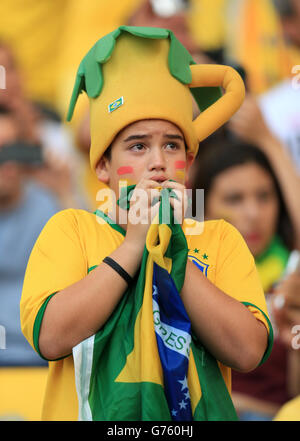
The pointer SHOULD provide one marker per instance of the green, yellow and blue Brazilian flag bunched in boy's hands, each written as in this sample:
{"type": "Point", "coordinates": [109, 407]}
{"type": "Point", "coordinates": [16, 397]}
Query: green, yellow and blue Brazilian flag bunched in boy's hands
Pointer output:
{"type": "Point", "coordinates": [145, 363]}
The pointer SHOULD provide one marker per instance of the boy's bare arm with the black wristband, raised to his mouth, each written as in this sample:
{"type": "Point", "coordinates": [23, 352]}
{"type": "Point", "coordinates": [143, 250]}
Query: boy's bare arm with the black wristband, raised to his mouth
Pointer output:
{"type": "Point", "coordinates": [80, 310]}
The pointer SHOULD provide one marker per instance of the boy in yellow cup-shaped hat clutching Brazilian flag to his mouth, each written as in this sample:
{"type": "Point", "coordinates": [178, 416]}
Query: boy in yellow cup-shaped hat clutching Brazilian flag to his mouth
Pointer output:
{"type": "Point", "coordinates": [143, 317]}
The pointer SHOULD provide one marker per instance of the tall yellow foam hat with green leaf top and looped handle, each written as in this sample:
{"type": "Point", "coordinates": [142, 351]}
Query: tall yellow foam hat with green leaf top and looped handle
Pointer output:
{"type": "Point", "coordinates": [137, 73]}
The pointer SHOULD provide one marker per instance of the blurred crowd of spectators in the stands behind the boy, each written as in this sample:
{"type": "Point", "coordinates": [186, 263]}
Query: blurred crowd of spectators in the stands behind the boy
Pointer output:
{"type": "Point", "coordinates": [249, 169]}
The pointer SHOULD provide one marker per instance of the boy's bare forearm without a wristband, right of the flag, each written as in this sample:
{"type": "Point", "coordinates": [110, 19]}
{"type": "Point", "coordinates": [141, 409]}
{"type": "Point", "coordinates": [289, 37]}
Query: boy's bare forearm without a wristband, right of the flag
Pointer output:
{"type": "Point", "coordinates": [225, 326]}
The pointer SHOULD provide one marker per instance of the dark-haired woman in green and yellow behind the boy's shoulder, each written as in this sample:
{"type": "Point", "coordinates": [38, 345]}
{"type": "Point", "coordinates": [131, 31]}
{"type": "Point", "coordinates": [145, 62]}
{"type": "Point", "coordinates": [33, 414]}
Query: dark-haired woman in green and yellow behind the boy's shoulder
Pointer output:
{"type": "Point", "coordinates": [240, 185]}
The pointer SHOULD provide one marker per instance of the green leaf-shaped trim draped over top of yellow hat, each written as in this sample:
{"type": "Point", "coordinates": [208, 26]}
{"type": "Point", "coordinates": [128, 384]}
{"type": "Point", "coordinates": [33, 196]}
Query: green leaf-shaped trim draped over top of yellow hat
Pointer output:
{"type": "Point", "coordinates": [89, 76]}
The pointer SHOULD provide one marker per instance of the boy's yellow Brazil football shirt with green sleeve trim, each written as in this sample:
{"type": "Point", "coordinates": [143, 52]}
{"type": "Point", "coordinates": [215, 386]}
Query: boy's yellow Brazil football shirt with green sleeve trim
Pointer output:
{"type": "Point", "coordinates": [74, 241]}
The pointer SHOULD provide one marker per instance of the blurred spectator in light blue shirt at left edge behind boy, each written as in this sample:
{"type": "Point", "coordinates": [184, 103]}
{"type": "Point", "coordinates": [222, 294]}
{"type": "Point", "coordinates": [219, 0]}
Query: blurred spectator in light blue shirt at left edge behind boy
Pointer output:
{"type": "Point", "coordinates": [25, 207]}
